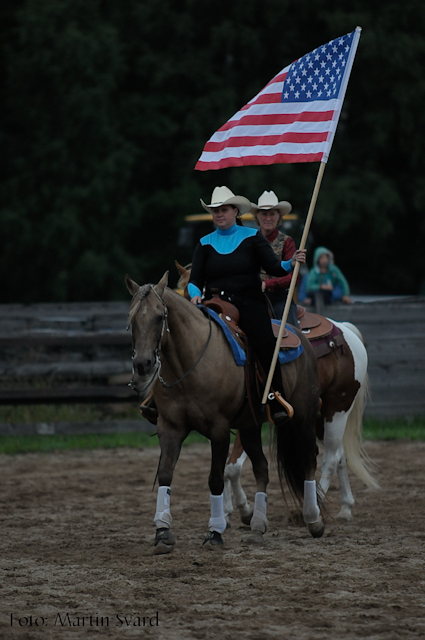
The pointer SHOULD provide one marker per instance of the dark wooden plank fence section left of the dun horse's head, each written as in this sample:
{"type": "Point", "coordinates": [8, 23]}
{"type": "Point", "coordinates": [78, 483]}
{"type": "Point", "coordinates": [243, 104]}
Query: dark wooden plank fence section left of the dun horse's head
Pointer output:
{"type": "Point", "coordinates": [61, 353]}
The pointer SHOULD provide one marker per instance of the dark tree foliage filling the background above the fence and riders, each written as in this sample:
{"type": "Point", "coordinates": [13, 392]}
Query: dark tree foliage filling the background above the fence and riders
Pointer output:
{"type": "Point", "coordinates": [105, 108]}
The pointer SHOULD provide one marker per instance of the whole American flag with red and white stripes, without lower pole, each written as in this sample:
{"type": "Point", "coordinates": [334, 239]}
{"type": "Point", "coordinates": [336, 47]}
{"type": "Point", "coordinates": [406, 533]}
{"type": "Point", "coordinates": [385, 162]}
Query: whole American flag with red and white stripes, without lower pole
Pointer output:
{"type": "Point", "coordinates": [294, 118]}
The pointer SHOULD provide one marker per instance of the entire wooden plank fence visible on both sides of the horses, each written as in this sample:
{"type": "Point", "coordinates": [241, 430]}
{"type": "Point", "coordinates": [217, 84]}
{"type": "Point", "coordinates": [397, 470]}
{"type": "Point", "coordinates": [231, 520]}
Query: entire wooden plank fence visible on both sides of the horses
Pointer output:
{"type": "Point", "coordinates": [81, 352]}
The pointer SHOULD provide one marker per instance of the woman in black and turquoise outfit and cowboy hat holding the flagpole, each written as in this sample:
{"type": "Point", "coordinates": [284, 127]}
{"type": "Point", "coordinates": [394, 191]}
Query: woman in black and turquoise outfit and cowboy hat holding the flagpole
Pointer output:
{"type": "Point", "coordinates": [230, 260]}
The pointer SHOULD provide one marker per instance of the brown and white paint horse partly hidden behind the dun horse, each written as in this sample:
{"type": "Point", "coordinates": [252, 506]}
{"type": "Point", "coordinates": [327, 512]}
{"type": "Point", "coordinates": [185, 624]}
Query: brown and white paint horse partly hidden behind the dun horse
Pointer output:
{"type": "Point", "coordinates": [343, 390]}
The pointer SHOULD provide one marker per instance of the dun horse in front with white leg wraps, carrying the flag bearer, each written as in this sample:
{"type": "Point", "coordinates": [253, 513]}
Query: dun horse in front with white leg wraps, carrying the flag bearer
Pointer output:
{"type": "Point", "coordinates": [184, 358]}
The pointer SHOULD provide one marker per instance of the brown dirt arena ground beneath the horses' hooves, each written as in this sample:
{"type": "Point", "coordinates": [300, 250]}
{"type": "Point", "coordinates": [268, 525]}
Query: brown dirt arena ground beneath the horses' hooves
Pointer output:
{"type": "Point", "coordinates": [77, 555]}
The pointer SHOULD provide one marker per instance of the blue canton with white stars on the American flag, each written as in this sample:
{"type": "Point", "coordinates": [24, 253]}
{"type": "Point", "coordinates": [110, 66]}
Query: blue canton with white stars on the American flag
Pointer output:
{"type": "Point", "coordinates": [318, 74]}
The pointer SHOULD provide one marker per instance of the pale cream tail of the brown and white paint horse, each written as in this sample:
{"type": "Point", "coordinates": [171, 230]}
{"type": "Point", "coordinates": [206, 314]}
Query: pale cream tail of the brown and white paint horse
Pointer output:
{"type": "Point", "coordinates": [357, 458]}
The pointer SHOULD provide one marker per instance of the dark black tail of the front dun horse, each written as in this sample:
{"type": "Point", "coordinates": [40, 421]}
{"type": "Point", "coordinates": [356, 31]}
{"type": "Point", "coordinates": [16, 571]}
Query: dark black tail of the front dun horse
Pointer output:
{"type": "Point", "coordinates": [295, 452]}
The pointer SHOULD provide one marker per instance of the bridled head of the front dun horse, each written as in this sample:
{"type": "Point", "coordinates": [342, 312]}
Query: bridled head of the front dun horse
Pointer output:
{"type": "Point", "coordinates": [148, 320]}
